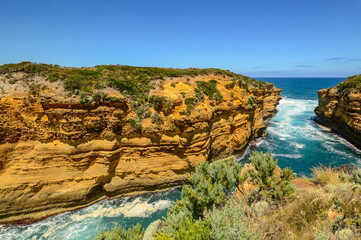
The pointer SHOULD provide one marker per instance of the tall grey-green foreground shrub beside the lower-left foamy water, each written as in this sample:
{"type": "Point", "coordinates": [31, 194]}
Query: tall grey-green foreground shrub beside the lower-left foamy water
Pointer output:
{"type": "Point", "coordinates": [210, 185]}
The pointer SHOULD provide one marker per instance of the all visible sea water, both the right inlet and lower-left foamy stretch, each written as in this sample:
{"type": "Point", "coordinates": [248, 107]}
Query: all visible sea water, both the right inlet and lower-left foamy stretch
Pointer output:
{"type": "Point", "coordinates": [293, 138]}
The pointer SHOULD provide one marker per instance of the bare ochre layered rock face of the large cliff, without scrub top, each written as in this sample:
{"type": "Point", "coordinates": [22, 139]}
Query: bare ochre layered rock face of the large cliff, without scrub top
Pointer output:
{"type": "Point", "coordinates": [57, 155]}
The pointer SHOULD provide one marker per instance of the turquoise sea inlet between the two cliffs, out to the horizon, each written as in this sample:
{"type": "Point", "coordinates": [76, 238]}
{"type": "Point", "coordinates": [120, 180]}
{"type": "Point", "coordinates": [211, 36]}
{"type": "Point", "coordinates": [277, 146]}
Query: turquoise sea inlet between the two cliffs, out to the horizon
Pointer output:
{"type": "Point", "coordinates": [294, 138]}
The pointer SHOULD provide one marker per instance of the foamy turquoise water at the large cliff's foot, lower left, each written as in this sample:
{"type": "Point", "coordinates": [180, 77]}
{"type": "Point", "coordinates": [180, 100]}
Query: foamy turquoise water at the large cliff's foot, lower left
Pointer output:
{"type": "Point", "coordinates": [106, 214]}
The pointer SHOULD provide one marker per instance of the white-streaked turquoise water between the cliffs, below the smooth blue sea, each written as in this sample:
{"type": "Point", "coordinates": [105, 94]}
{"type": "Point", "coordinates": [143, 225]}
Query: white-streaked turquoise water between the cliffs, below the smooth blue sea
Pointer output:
{"type": "Point", "coordinates": [300, 143]}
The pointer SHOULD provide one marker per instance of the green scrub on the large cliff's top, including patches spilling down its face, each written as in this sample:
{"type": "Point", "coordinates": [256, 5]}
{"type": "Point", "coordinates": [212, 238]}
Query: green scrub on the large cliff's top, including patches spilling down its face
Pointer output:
{"type": "Point", "coordinates": [134, 83]}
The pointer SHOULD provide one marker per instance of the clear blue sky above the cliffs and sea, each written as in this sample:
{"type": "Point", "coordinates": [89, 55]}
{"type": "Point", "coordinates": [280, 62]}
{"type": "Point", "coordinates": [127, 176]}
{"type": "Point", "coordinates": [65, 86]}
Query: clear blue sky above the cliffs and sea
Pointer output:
{"type": "Point", "coordinates": [259, 38]}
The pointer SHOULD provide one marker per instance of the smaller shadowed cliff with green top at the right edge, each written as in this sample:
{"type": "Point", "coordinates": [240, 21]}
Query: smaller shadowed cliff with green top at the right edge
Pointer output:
{"type": "Point", "coordinates": [340, 108]}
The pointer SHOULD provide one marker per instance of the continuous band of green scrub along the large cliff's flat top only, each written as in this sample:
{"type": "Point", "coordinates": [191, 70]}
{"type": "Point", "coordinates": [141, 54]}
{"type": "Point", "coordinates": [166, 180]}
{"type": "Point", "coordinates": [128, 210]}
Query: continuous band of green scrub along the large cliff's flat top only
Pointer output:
{"type": "Point", "coordinates": [131, 81]}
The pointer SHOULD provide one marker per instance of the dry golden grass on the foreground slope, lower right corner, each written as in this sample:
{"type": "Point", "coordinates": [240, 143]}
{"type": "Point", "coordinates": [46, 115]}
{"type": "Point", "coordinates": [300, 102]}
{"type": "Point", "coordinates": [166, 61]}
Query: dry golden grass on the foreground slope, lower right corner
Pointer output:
{"type": "Point", "coordinates": [316, 210]}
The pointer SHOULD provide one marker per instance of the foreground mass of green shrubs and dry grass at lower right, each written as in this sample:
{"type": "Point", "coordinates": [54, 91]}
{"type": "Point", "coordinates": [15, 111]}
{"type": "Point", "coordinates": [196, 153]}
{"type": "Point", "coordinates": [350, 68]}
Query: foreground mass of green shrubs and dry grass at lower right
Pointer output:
{"type": "Point", "coordinates": [265, 204]}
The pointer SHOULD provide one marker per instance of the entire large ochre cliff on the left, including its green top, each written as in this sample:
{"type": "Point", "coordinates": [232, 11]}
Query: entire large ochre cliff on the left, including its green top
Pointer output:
{"type": "Point", "coordinates": [71, 136]}
